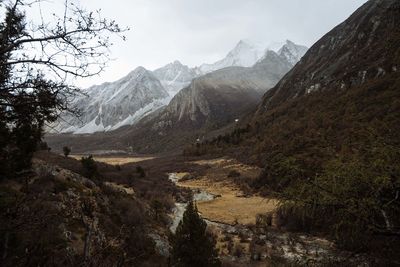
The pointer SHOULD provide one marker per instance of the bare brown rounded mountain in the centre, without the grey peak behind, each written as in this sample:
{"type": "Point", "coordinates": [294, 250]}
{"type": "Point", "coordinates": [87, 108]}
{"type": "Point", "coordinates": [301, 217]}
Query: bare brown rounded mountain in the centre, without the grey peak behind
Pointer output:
{"type": "Point", "coordinates": [212, 95]}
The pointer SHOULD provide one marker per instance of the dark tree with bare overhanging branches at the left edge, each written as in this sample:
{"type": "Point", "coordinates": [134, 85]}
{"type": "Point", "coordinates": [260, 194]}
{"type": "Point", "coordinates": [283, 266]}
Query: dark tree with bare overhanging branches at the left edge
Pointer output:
{"type": "Point", "coordinates": [38, 62]}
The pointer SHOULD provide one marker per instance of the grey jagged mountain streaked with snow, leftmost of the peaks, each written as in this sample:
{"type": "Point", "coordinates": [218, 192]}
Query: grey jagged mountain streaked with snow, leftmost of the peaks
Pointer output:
{"type": "Point", "coordinates": [112, 105]}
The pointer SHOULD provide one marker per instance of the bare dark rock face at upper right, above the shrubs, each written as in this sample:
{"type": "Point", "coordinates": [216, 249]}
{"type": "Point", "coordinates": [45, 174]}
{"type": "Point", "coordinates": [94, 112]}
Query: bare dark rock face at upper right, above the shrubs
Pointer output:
{"type": "Point", "coordinates": [362, 48]}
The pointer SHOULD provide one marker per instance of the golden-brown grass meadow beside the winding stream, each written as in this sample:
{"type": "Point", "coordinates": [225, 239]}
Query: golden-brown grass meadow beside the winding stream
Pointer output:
{"type": "Point", "coordinates": [232, 206]}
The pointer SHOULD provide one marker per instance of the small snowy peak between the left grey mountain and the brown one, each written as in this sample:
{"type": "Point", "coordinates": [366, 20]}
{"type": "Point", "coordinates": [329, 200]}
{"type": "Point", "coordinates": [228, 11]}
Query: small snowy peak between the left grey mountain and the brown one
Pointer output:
{"type": "Point", "coordinates": [175, 76]}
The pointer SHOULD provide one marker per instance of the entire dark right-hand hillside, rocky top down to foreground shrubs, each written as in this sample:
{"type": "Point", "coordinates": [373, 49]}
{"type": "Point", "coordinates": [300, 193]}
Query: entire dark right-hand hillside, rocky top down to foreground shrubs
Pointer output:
{"type": "Point", "coordinates": [327, 136]}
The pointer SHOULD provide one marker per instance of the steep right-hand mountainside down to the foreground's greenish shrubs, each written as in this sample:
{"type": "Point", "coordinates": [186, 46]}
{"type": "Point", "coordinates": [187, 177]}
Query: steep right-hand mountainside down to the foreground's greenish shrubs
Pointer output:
{"type": "Point", "coordinates": [340, 98]}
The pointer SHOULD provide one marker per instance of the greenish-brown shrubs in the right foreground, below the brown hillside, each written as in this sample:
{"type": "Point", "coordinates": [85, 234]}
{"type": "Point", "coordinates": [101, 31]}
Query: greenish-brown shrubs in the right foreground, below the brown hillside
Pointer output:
{"type": "Point", "coordinates": [355, 198]}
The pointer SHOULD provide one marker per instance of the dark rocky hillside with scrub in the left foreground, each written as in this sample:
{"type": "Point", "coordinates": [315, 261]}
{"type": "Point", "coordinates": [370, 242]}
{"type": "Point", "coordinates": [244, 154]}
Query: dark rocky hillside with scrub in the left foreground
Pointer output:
{"type": "Point", "coordinates": [62, 215]}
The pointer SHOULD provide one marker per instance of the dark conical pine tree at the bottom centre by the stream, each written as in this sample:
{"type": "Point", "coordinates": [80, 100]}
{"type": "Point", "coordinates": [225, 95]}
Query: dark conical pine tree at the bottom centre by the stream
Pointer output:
{"type": "Point", "coordinates": [192, 245]}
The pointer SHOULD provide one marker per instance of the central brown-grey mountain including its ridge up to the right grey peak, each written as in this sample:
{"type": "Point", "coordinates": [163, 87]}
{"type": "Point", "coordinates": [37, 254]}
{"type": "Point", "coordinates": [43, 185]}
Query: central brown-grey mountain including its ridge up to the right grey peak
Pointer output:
{"type": "Point", "coordinates": [222, 95]}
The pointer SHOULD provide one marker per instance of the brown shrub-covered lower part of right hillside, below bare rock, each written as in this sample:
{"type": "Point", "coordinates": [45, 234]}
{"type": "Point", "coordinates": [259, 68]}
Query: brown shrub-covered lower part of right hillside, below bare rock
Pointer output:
{"type": "Point", "coordinates": [333, 158]}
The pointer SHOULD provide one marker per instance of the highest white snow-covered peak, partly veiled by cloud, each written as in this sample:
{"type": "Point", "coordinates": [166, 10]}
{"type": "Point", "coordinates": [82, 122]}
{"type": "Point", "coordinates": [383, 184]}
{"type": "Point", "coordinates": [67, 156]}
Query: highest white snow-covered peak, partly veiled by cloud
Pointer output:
{"type": "Point", "coordinates": [244, 54]}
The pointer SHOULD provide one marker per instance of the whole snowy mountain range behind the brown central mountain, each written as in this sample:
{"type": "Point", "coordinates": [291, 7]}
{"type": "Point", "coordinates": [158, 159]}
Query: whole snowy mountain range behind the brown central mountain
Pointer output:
{"type": "Point", "coordinates": [110, 106]}
